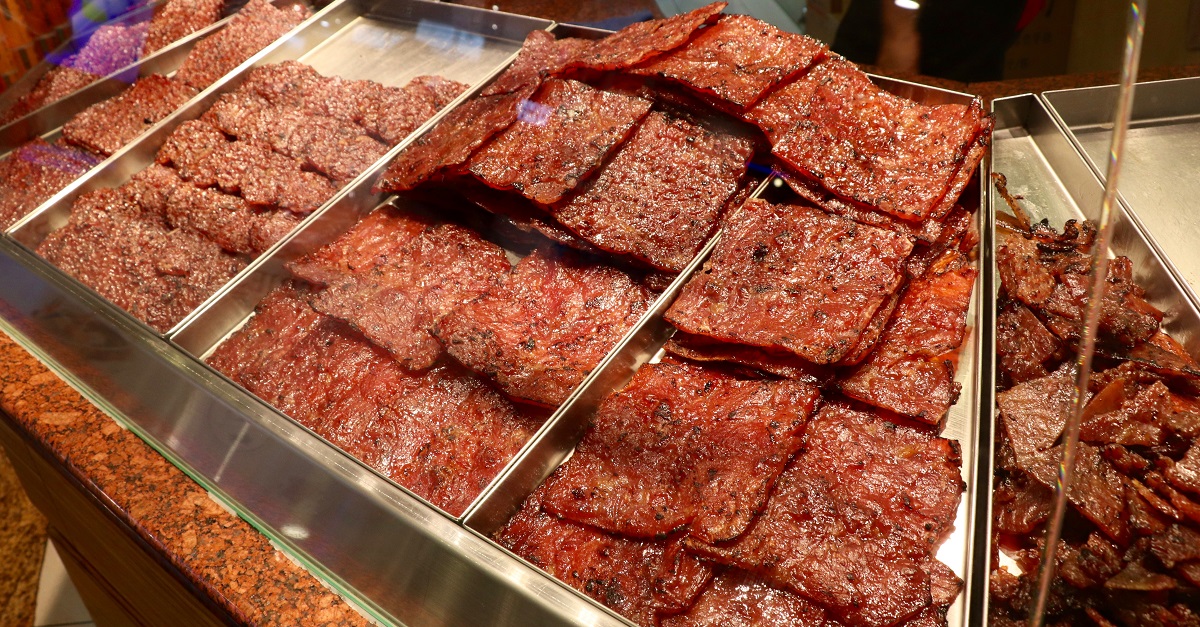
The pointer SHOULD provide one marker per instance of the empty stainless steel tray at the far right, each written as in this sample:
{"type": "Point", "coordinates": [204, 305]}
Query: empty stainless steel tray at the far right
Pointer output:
{"type": "Point", "coordinates": [1159, 182]}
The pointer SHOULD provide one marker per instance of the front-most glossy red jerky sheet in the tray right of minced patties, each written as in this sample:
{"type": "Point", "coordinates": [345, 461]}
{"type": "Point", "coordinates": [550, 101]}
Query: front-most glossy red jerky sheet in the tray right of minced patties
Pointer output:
{"type": "Point", "coordinates": [443, 434]}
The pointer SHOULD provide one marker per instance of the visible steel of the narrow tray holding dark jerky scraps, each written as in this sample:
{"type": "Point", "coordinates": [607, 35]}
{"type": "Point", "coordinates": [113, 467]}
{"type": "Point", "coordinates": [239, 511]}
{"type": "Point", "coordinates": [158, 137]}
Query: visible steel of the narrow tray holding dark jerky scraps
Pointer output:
{"type": "Point", "coordinates": [1043, 166]}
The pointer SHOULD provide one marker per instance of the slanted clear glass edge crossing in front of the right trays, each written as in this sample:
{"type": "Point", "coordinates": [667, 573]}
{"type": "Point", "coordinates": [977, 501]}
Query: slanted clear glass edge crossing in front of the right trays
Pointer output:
{"type": "Point", "coordinates": [1047, 572]}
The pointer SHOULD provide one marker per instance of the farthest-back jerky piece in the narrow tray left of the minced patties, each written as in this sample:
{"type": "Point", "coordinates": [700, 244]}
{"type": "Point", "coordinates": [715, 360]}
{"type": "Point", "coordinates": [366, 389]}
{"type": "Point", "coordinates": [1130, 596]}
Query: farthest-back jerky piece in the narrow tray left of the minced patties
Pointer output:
{"type": "Point", "coordinates": [253, 29]}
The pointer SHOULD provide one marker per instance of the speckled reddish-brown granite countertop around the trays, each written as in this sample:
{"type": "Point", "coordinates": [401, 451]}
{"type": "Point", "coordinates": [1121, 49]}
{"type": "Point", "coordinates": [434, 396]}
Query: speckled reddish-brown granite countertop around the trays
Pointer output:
{"type": "Point", "coordinates": [224, 556]}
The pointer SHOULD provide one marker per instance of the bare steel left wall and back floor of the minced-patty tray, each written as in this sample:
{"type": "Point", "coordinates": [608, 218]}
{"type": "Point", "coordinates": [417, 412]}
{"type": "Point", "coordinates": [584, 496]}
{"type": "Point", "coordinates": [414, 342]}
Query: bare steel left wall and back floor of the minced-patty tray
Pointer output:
{"type": "Point", "coordinates": [345, 39]}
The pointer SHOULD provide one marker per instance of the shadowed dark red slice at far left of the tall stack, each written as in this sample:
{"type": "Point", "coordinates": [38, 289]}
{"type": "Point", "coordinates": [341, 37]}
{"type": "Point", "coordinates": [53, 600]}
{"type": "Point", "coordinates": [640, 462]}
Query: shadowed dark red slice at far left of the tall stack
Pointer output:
{"type": "Point", "coordinates": [454, 140]}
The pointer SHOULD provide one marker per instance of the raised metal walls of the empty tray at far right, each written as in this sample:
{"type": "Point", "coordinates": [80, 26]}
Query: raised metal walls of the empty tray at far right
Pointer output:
{"type": "Point", "coordinates": [1102, 100]}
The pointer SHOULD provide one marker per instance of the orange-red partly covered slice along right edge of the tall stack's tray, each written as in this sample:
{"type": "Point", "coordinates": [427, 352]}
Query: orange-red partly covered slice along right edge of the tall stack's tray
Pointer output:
{"type": "Point", "coordinates": [910, 372]}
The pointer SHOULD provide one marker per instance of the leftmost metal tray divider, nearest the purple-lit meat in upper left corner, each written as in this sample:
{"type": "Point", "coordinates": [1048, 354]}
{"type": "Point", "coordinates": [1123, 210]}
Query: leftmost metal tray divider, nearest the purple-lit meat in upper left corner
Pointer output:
{"type": "Point", "coordinates": [47, 121]}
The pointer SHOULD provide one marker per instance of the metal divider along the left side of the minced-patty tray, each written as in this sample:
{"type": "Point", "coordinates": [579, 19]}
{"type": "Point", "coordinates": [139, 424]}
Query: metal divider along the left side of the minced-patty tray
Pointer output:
{"type": "Point", "coordinates": [141, 152]}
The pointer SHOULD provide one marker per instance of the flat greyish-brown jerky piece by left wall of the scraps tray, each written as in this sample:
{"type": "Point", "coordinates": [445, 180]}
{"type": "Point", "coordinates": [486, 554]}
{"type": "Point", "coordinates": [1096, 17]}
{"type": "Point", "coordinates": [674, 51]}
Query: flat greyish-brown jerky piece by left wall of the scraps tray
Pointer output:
{"type": "Point", "coordinates": [1035, 413]}
